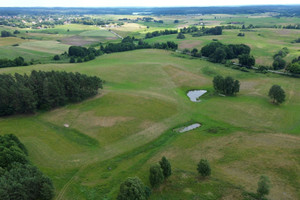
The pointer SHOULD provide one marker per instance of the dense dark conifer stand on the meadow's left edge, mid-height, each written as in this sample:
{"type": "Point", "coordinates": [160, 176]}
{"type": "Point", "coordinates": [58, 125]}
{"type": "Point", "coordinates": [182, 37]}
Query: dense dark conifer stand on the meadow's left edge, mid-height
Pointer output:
{"type": "Point", "coordinates": [44, 90]}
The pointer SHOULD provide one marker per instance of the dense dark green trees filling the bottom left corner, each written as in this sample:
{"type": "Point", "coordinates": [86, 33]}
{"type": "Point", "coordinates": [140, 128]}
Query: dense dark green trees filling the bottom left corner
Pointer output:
{"type": "Point", "coordinates": [19, 179]}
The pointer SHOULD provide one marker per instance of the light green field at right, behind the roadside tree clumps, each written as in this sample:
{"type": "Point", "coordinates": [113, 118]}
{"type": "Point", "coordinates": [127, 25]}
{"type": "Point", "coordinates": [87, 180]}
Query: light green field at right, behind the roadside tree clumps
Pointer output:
{"type": "Point", "coordinates": [264, 43]}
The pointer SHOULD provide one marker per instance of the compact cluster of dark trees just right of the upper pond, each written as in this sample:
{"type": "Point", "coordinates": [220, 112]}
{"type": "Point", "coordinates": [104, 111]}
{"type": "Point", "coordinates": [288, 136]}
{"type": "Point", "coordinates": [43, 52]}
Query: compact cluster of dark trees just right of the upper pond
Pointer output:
{"type": "Point", "coordinates": [226, 86]}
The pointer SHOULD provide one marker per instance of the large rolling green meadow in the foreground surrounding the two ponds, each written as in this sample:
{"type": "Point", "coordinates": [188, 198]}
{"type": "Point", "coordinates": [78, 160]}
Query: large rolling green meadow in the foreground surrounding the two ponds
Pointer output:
{"type": "Point", "coordinates": [128, 127]}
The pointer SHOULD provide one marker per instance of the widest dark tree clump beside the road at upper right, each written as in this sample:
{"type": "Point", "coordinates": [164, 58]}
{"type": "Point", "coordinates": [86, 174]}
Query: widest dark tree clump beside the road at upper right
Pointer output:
{"type": "Point", "coordinates": [218, 52]}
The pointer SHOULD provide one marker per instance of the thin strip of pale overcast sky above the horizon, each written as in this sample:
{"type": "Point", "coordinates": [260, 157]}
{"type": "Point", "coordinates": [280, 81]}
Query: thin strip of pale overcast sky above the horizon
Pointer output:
{"type": "Point", "coordinates": [137, 3]}
